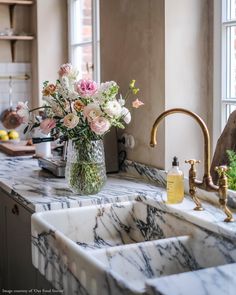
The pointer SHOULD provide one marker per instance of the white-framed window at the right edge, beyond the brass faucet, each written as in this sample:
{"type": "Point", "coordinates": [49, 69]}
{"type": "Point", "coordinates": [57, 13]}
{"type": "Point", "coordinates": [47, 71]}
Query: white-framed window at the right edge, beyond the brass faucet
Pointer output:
{"type": "Point", "coordinates": [228, 58]}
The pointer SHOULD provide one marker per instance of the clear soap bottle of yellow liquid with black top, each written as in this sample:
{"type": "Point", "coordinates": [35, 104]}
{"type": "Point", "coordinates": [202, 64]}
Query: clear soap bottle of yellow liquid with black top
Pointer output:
{"type": "Point", "coordinates": [175, 184]}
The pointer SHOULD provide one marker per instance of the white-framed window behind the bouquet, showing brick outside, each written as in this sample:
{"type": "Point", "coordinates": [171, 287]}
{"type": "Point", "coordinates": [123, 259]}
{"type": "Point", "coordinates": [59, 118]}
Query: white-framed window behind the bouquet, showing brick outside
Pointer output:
{"type": "Point", "coordinates": [84, 37]}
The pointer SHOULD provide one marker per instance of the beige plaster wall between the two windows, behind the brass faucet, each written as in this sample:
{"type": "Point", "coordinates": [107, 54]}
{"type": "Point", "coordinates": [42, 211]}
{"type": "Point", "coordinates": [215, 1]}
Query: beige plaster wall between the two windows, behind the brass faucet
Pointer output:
{"type": "Point", "coordinates": [164, 45]}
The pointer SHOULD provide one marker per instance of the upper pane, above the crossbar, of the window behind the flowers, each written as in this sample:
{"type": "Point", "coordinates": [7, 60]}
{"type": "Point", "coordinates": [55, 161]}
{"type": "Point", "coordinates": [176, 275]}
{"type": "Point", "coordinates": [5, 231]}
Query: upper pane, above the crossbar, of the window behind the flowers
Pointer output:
{"type": "Point", "coordinates": [82, 25]}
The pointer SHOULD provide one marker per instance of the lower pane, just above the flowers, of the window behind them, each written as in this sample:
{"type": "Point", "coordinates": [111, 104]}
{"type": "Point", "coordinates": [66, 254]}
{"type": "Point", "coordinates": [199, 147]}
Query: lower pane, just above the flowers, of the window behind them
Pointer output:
{"type": "Point", "coordinates": [82, 57]}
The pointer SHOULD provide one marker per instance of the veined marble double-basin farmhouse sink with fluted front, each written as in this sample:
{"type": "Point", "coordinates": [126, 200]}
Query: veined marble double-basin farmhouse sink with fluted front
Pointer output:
{"type": "Point", "coordinates": [116, 248]}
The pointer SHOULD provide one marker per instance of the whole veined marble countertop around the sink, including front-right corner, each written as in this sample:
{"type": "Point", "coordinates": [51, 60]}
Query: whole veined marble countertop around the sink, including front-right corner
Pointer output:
{"type": "Point", "coordinates": [38, 190]}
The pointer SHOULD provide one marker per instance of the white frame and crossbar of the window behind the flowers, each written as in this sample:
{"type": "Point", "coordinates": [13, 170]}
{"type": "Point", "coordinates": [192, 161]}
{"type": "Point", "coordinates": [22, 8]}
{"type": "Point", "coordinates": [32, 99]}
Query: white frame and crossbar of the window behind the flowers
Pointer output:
{"type": "Point", "coordinates": [95, 37]}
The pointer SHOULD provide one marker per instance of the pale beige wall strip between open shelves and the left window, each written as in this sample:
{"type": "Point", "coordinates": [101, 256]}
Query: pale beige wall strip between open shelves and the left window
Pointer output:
{"type": "Point", "coordinates": [52, 43]}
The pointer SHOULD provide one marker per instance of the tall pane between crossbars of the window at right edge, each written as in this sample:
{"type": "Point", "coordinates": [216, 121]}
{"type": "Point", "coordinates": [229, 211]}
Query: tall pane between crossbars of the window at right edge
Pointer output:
{"type": "Point", "coordinates": [231, 62]}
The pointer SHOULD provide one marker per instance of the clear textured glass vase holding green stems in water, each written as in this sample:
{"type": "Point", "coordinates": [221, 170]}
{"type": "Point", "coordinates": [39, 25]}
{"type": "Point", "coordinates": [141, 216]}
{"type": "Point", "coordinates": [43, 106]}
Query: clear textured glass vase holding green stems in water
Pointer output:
{"type": "Point", "coordinates": [85, 167]}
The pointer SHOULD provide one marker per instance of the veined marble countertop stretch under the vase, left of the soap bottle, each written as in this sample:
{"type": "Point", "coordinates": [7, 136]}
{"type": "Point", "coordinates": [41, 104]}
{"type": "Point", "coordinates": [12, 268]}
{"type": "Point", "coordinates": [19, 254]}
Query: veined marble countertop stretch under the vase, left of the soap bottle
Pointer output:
{"type": "Point", "coordinates": [39, 190]}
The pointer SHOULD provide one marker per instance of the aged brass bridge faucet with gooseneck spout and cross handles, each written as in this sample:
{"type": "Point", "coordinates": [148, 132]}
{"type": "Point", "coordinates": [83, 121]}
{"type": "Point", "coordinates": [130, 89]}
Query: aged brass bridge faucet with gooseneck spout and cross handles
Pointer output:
{"type": "Point", "coordinates": [207, 182]}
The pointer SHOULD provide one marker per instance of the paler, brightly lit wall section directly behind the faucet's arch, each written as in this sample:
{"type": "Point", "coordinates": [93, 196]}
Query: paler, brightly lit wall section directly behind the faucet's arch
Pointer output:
{"type": "Point", "coordinates": [186, 76]}
